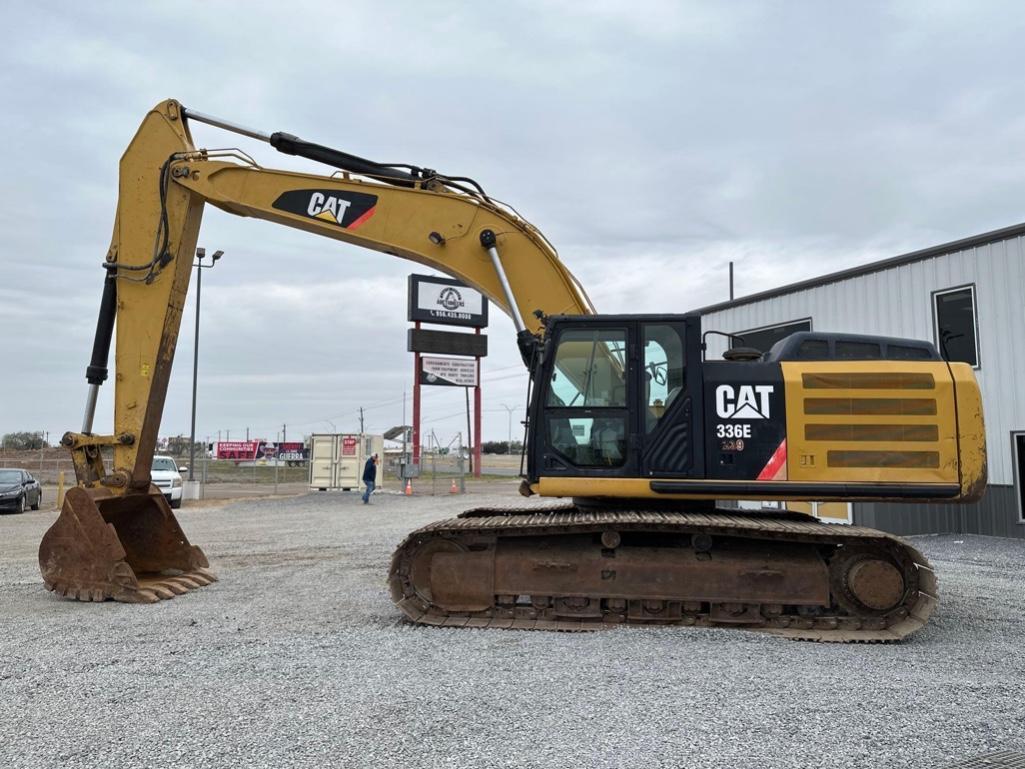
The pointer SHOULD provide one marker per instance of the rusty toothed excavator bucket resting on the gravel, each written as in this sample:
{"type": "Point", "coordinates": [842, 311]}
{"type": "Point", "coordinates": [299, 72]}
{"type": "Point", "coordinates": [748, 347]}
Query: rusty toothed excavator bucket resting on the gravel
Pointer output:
{"type": "Point", "coordinates": [129, 549]}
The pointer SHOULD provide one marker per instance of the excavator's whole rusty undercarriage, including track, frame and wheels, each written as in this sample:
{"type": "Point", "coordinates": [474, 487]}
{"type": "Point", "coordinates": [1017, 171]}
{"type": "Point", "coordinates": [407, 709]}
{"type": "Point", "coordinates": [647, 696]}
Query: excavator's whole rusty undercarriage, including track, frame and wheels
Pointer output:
{"type": "Point", "coordinates": [567, 570]}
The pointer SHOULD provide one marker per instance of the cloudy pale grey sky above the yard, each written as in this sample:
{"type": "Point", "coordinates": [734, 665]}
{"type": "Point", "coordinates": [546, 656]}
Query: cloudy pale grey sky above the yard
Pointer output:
{"type": "Point", "coordinates": [651, 142]}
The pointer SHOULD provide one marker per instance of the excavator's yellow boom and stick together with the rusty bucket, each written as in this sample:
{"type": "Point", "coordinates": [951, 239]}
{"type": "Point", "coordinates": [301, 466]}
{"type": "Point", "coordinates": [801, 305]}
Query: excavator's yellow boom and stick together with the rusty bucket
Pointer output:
{"type": "Point", "coordinates": [116, 537]}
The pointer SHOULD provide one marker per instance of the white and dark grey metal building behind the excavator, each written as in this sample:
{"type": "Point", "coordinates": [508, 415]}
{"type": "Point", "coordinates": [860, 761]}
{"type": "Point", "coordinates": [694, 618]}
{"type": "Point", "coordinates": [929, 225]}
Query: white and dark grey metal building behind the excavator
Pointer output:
{"type": "Point", "coordinates": [969, 299]}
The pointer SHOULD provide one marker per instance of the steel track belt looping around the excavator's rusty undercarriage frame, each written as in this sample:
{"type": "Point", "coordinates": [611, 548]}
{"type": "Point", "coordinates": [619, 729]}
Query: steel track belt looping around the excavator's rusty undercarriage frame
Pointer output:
{"type": "Point", "coordinates": [790, 528]}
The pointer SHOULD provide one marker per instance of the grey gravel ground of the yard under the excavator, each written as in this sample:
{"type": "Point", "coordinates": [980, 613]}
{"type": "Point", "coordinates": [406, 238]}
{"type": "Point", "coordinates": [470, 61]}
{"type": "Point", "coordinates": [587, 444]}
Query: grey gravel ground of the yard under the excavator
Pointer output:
{"type": "Point", "coordinates": [298, 658]}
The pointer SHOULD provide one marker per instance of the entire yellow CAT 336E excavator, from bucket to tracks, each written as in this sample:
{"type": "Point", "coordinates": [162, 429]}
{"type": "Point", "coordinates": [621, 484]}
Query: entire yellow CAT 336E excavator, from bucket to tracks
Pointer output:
{"type": "Point", "coordinates": [628, 423]}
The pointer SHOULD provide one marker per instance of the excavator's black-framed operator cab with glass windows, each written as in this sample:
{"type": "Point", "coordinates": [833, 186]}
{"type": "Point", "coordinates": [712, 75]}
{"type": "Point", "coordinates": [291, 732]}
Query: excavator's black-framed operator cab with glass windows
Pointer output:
{"type": "Point", "coordinates": [612, 396]}
